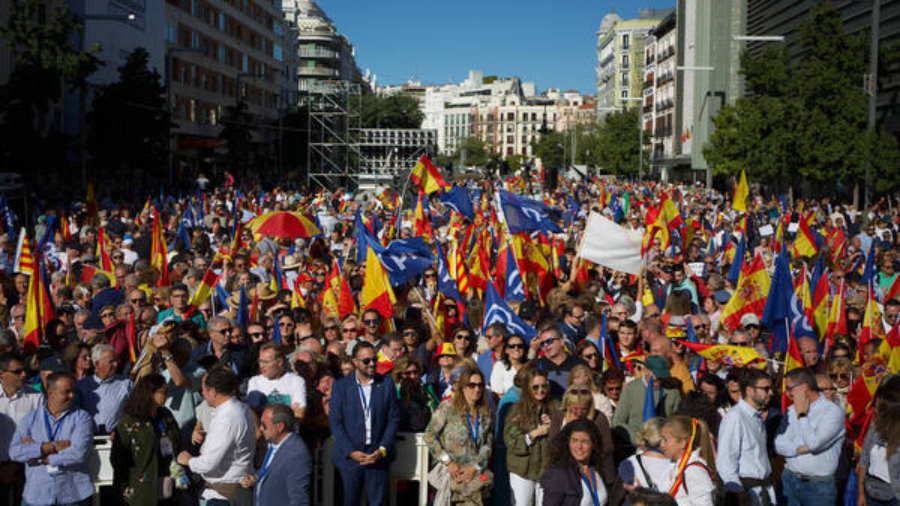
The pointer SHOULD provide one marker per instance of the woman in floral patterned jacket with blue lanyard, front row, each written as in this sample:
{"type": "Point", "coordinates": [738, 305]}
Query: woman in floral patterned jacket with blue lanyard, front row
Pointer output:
{"type": "Point", "coordinates": [459, 438]}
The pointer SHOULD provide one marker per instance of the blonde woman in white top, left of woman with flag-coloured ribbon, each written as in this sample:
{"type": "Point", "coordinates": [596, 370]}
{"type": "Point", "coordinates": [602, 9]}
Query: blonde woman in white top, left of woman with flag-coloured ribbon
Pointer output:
{"type": "Point", "coordinates": [649, 467]}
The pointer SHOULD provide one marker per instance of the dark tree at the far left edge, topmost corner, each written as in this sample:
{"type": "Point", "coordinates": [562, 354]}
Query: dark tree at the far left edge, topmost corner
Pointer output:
{"type": "Point", "coordinates": [46, 62]}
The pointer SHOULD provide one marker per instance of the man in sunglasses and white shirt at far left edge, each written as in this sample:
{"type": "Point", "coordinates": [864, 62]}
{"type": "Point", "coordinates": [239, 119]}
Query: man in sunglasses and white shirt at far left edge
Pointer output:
{"type": "Point", "coordinates": [16, 401]}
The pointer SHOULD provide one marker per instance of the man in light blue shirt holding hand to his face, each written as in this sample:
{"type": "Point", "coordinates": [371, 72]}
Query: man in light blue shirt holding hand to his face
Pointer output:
{"type": "Point", "coordinates": [810, 439]}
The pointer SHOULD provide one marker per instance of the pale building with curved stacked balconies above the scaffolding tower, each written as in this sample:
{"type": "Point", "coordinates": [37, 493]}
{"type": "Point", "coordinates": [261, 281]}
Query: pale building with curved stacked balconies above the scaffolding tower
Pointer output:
{"type": "Point", "coordinates": [323, 55]}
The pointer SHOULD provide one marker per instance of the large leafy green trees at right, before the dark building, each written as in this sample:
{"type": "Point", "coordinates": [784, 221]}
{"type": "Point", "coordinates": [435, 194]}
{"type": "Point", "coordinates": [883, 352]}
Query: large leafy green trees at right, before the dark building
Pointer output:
{"type": "Point", "coordinates": [807, 121]}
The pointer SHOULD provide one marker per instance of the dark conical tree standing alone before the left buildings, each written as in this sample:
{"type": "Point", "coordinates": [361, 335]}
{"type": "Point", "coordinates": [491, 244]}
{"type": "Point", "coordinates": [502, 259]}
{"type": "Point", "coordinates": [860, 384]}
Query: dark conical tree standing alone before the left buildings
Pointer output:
{"type": "Point", "coordinates": [128, 123]}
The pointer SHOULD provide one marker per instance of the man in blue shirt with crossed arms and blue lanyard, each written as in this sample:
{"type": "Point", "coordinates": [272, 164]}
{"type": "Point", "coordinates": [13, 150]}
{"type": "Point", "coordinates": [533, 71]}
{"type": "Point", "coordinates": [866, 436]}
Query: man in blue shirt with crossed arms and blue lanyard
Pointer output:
{"type": "Point", "coordinates": [53, 442]}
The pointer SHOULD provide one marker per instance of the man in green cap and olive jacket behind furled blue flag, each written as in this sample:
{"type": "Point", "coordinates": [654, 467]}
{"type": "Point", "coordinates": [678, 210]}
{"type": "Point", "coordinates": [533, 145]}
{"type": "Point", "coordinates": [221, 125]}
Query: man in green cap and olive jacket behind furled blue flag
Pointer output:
{"type": "Point", "coordinates": [629, 414]}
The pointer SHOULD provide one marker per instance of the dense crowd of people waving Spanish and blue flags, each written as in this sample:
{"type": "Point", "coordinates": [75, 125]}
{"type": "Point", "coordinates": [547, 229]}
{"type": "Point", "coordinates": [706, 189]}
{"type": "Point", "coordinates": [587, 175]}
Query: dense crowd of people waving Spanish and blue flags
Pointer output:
{"type": "Point", "coordinates": [220, 360]}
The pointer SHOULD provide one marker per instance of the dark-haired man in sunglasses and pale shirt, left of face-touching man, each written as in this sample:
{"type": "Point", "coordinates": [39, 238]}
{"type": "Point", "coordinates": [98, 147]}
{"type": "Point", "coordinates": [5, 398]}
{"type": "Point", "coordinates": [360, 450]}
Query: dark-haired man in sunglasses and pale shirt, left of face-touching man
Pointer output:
{"type": "Point", "coordinates": [742, 457]}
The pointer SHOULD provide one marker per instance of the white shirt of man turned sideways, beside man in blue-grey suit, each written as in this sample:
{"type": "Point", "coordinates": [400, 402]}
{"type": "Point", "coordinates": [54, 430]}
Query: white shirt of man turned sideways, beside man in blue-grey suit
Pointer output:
{"type": "Point", "coordinates": [227, 452]}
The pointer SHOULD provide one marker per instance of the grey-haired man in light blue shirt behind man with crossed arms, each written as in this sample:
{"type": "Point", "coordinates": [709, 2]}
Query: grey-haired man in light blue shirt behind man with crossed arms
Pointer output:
{"type": "Point", "coordinates": [103, 394]}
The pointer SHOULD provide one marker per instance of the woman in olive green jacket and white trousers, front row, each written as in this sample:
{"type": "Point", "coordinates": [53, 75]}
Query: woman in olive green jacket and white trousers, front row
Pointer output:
{"type": "Point", "coordinates": [526, 437]}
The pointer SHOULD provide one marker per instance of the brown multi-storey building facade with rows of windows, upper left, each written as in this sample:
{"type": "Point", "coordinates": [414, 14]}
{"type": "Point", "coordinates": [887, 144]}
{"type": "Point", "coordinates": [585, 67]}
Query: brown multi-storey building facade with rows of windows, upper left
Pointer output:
{"type": "Point", "coordinates": [221, 52]}
